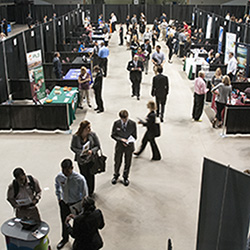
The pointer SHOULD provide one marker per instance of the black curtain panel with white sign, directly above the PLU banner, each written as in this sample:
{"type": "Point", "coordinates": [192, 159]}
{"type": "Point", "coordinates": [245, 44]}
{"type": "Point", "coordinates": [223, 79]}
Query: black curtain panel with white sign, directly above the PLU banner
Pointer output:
{"type": "Point", "coordinates": [33, 39]}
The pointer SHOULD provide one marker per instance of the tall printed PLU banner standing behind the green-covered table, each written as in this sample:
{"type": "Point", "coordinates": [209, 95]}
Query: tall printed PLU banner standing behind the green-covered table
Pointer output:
{"type": "Point", "coordinates": [36, 76]}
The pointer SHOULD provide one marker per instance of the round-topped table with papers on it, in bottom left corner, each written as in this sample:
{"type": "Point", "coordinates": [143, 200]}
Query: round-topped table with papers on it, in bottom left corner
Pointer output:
{"type": "Point", "coordinates": [17, 237]}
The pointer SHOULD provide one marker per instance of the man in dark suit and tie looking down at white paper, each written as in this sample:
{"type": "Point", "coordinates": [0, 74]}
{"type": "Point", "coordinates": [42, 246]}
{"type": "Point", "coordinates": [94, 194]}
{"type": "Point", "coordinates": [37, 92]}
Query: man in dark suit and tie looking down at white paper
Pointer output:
{"type": "Point", "coordinates": [124, 133]}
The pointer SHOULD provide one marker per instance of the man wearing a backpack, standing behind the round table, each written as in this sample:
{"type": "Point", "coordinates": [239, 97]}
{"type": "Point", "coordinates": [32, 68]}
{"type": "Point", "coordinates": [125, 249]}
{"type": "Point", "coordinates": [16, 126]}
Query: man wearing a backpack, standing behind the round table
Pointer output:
{"type": "Point", "coordinates": [24, 187]}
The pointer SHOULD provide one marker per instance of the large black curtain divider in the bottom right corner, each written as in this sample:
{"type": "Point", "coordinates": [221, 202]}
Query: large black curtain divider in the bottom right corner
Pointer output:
{"type": "Point", "coordinates": [224, 208]}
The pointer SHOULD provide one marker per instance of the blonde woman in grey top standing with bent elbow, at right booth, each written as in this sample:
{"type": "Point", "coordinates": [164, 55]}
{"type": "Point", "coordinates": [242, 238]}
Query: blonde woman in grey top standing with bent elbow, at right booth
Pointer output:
{"type": "Point", "coordinates": [224, 91]}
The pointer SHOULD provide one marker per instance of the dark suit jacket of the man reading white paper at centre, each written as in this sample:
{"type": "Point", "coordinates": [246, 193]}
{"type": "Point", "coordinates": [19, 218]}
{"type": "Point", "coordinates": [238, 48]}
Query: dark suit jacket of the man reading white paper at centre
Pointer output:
{"type": "Point", "coordinates": [118, 133]}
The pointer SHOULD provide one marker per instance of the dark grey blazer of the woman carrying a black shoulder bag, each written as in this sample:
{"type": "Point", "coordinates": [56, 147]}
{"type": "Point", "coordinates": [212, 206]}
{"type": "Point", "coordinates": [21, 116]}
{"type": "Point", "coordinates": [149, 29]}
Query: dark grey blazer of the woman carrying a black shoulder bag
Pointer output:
{"type": "Point", "coordinates": [77, 144]}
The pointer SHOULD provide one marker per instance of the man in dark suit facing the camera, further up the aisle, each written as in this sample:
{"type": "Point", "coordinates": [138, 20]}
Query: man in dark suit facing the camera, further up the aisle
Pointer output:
{"type": "Point", "coordinates": [135, 67]}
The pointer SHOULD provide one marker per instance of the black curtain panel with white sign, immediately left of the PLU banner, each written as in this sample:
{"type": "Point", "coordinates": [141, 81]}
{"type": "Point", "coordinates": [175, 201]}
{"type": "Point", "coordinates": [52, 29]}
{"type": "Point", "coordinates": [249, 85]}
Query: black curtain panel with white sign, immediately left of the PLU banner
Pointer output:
{"type": "Point", "coordinates": [16, 58]}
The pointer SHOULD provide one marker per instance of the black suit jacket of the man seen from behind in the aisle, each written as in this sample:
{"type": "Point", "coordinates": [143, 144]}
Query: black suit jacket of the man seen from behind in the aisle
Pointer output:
{"type": "Point", "coordinates": [160, 87]}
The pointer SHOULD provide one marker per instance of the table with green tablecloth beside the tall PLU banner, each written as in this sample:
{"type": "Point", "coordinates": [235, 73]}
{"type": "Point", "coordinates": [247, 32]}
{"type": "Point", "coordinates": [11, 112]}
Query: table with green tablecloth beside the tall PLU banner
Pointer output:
{"type": "Point", "coordinates": [67, 96]}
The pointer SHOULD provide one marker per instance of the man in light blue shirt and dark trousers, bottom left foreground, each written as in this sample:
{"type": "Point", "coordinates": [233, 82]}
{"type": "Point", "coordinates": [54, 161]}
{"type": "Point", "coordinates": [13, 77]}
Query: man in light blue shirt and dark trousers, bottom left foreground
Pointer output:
{"type": "Point", "coordinates": [71, 188]}
